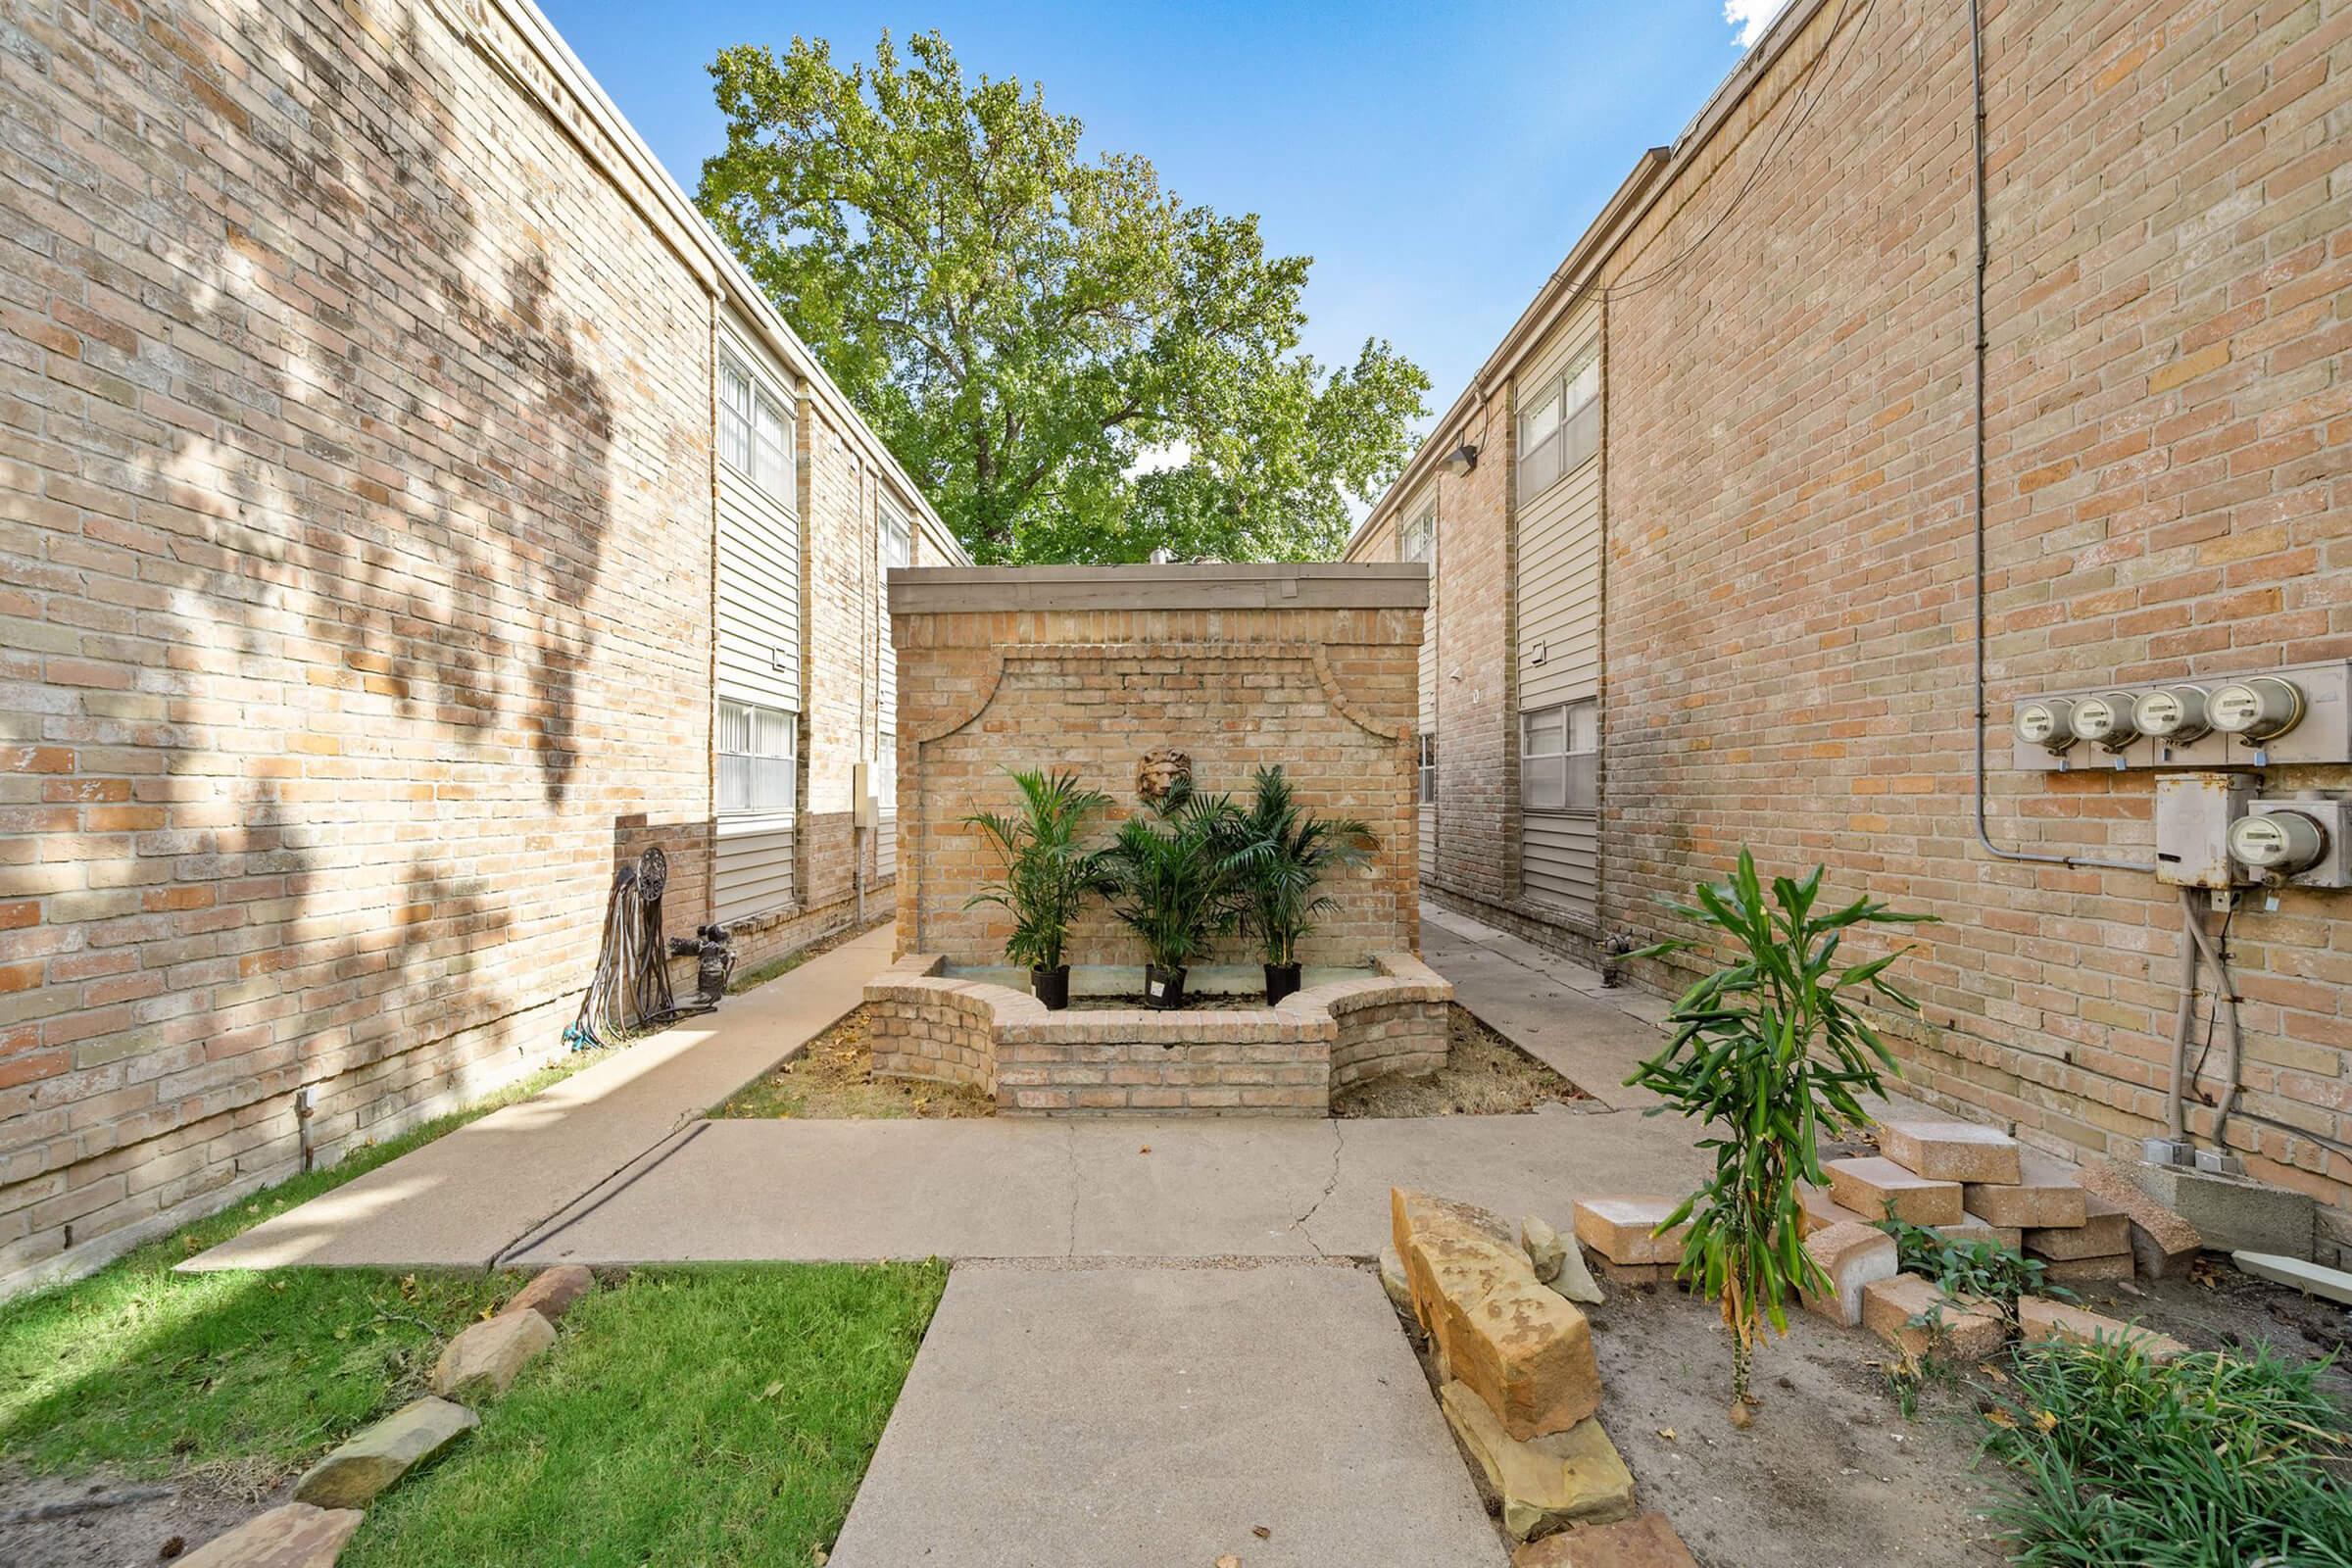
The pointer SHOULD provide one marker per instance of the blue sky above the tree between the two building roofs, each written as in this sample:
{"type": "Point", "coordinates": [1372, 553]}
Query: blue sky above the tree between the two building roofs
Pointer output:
{"type": "Point", "coordinates": [1436, 161]}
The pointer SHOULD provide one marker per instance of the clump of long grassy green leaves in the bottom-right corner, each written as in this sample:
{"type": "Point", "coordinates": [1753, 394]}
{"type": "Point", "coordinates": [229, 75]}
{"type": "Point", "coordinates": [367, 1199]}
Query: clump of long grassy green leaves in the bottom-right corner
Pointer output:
{"type": "Point", "coordinates": [2198, 1463]}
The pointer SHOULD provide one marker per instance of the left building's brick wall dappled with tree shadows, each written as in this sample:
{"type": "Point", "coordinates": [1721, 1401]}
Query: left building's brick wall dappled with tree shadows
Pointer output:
{"type": "Point", "coordinates": [356, 509]}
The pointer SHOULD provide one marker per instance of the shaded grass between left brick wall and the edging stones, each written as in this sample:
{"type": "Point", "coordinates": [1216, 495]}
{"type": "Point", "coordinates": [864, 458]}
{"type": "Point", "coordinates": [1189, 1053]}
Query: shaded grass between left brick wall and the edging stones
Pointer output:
{"type": "Point", "coordinates": [159, 1372]}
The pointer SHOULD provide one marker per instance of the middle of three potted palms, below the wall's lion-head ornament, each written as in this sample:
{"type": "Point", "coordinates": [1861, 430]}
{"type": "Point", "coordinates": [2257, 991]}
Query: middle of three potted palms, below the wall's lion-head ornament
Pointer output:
{"type": "Point", "coordinates": [1172, 885]}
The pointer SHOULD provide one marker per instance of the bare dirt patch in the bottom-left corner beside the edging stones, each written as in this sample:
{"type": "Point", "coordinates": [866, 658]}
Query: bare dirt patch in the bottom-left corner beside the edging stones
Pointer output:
{"type": "Point", "coordinates": [107, 1520]}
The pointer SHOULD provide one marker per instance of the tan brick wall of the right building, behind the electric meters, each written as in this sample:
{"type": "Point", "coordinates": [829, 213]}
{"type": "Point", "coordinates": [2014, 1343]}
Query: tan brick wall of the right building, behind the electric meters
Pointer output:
{"type": "Point", "coordinates": [2170, 438]}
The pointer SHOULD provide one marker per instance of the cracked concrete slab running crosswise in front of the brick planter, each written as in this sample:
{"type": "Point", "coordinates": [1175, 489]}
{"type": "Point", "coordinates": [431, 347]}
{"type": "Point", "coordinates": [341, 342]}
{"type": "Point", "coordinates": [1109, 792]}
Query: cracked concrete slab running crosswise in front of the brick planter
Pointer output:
{"type": "Point", "coordinates": [1114, 1188]}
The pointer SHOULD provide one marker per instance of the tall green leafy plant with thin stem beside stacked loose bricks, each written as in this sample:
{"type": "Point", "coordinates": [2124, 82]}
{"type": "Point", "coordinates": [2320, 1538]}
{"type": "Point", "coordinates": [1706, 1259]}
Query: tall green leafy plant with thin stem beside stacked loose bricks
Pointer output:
{"type": "Point", "coordinates": [1768, 1054]}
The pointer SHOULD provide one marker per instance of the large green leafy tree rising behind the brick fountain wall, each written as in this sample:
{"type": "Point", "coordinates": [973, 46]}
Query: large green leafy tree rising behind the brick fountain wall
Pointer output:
{"type": "Point", "coordinates": [1076, 366]}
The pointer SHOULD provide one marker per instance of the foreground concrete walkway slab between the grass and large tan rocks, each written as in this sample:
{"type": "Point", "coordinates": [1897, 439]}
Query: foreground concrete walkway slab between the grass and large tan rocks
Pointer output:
{"type": "Point", "coordinates": [1151, 1416]}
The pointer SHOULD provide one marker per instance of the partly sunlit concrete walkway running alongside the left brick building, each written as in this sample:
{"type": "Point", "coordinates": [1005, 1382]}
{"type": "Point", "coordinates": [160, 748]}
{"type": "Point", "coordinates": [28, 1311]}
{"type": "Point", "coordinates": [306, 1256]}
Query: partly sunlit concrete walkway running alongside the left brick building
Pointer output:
{"type": "Point", "coordinates": [469, 1198]}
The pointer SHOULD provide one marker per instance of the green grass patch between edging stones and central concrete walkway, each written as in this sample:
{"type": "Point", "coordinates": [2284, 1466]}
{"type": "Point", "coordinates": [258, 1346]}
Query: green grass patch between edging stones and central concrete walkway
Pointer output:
{"type": "Point", "coordinates": [690, 1416]}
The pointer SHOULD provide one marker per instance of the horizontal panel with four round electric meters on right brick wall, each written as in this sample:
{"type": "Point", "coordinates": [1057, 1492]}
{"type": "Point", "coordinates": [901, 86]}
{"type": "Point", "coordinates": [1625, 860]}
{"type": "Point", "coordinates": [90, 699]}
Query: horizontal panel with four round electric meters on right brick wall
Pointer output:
{"type": "Point", "coordinates": [2102, 728]}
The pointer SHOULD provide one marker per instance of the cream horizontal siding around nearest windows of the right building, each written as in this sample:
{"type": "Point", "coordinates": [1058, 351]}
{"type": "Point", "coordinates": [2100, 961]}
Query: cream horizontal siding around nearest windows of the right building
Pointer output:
{"type": "Point", "coordinates": [1558, 598]}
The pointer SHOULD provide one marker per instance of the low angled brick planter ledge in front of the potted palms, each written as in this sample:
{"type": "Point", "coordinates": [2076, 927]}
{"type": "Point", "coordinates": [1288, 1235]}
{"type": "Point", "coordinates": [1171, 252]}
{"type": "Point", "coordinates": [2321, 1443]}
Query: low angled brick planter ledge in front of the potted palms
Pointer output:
{"type": "Point", "coordinates": [1248, 1061]}
